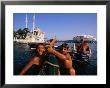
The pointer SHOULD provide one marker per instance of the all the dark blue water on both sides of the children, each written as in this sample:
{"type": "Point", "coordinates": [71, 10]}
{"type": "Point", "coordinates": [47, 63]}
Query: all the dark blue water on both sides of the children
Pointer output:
{"type": "Point", "coordinates": [23, 54]}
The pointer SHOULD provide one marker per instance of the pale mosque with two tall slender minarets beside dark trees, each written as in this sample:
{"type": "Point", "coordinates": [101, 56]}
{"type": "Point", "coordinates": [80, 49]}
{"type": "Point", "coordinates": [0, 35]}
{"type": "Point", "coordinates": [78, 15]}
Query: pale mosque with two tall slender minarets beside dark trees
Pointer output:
{"type": "Point", "coordinates": [35, 36]}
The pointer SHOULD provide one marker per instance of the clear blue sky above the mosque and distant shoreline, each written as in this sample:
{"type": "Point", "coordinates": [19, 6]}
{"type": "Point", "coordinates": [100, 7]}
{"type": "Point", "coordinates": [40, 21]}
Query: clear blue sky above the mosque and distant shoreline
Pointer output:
{"type": "Point", "coordinates": [62, 25]}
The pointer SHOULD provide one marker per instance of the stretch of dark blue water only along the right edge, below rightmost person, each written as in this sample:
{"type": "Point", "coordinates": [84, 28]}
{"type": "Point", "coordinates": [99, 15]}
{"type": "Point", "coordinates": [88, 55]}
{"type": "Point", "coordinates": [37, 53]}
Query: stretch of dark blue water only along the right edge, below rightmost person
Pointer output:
{"type": "Point", "coordinates": [89, 68]}
